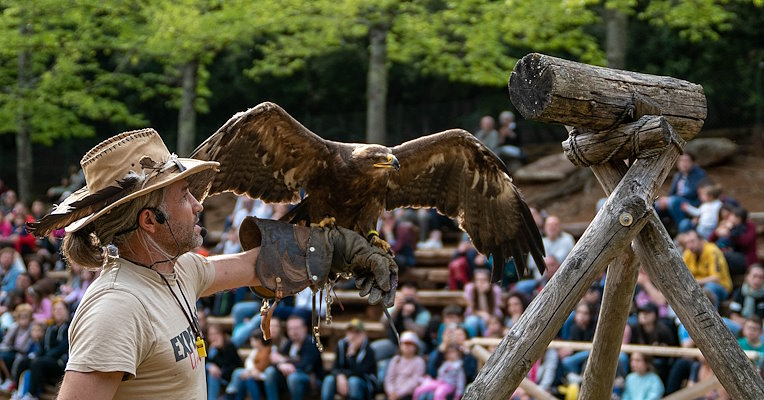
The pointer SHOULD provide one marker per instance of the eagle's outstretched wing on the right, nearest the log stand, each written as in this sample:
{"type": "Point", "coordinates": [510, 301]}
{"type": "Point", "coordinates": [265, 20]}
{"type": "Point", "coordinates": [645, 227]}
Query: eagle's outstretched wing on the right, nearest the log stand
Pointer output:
{"type": "Point", "coordinates": [453, 172]}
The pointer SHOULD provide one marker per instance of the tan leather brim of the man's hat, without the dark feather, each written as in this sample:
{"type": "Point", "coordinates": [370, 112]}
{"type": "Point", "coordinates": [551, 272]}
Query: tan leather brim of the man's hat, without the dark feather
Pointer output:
{"type": "Point", "coordinates": [192, 166]}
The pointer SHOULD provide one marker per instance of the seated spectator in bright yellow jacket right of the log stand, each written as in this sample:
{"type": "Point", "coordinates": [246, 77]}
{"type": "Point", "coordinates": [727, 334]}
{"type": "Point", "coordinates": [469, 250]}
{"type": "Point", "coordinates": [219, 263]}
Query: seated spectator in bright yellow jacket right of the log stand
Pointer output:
{"type": "Point", "coordinates": [707, 264]}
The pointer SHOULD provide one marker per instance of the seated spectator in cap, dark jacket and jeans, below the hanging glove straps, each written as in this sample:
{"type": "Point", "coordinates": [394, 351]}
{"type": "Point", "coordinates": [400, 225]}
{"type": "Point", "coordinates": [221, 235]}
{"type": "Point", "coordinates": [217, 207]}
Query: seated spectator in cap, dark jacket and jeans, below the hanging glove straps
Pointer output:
{"type": "Point", "coordinates": [354, 374]}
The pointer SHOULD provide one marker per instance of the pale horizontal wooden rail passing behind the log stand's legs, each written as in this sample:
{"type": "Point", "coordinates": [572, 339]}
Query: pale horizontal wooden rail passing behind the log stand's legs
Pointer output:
{"type": "Point", "coordinates": [655, 351]}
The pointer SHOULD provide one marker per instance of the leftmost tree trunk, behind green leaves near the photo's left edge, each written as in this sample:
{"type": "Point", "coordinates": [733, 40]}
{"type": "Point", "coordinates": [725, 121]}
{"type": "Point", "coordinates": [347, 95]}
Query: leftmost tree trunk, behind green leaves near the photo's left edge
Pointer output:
{"type": "Point", "coordinates": [24, 172]}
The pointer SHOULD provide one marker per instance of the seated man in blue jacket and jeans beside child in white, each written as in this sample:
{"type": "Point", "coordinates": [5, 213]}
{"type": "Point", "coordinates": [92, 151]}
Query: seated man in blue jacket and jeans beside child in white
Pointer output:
{"type": "Point", "coordinates": [684, 189]}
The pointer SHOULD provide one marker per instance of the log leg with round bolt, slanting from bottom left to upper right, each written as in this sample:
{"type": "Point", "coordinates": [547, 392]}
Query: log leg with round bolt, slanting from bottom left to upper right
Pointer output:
{"type": "Point", "coordinates": [613, 228]}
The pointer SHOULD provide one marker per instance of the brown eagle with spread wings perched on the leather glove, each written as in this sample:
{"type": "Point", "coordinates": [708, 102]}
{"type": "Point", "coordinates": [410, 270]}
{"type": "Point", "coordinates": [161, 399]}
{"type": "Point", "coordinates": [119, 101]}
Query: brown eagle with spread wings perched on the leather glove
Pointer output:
{"type": "Point", "coordinates": [265, 153]}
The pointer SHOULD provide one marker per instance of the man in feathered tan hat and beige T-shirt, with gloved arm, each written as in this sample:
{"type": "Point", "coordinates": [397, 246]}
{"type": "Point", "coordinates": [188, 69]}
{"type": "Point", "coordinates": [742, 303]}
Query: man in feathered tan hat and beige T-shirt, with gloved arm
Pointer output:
{"type": "Point", "coordinates": [135, 334]}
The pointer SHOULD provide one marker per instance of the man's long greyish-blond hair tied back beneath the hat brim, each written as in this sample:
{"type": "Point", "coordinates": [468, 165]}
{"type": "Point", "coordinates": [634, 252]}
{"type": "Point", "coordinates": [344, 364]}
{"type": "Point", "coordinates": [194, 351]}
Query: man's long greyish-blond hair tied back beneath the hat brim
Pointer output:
{"type": "Point", "coordinates": [85, 247]}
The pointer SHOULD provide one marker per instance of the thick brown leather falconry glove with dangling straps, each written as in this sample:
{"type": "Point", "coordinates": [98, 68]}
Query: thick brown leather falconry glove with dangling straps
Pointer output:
{"type": "Point", "coordinates": [294, 257]}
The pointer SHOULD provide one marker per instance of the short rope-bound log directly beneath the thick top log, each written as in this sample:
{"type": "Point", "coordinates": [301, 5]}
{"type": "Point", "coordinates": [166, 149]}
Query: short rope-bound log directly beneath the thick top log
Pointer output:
{"type": "Point", "coordinates": [641, 139]}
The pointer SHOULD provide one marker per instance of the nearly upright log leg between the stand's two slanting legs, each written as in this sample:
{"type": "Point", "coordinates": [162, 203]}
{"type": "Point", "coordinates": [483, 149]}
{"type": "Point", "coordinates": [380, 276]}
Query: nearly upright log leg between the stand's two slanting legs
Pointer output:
{"type": "Point", "coordinates": [616, 300]}
